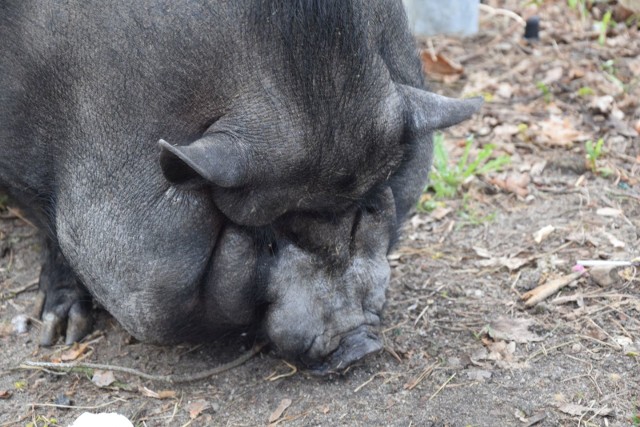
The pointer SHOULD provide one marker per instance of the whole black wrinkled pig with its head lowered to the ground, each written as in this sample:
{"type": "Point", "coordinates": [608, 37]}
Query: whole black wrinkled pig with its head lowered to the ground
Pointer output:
{"type": "Point", "coordinates": [203, 166]}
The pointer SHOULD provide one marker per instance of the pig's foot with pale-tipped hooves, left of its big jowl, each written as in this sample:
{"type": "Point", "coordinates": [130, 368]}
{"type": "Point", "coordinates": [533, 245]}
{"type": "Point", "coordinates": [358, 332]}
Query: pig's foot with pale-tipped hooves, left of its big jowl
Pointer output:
{"type": "Point", "coordinates": [63, 302]}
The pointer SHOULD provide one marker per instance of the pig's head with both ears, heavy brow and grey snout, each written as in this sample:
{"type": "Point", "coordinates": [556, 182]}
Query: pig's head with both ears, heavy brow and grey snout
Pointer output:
{"type": "Point", "coordinates": [333, 222]}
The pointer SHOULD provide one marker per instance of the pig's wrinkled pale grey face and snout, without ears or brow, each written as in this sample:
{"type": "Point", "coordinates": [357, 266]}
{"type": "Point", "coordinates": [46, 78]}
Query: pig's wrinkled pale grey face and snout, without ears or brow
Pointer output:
{"type": "Point", "coordinates": [327, 287]}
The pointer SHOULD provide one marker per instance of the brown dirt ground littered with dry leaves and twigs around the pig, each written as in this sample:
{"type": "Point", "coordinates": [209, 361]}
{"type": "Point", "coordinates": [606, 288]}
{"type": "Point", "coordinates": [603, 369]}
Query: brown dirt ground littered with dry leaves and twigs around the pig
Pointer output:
{"type": "Point", "coordinates": [462, 348]}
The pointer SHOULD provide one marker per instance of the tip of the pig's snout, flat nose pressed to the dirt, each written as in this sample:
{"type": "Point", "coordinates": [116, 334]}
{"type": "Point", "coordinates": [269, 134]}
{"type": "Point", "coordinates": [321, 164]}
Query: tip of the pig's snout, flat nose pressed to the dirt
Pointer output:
{"type": "Point", "coordinates": [352, 348]}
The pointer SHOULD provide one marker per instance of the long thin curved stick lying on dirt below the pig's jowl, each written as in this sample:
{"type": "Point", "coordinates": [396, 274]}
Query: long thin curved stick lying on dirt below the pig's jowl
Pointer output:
{"type": "Point", "coordinates": [164, 378]}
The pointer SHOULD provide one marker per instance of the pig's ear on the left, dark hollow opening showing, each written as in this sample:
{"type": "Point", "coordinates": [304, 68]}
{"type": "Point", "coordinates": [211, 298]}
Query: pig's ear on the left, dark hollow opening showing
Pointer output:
{"type": "Point", "coordinates": [213, 159]}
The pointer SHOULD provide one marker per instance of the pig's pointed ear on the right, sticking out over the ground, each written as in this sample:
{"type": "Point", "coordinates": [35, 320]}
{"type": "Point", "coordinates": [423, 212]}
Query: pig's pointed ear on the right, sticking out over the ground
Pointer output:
{"type": "Point", "coordinates": [430, 111]}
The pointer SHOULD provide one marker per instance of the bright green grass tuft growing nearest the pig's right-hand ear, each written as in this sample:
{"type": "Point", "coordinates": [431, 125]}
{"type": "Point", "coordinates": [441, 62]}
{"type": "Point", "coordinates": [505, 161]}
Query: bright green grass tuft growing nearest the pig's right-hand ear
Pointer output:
{"type": "Point", "coordinates": [447, 177]}
